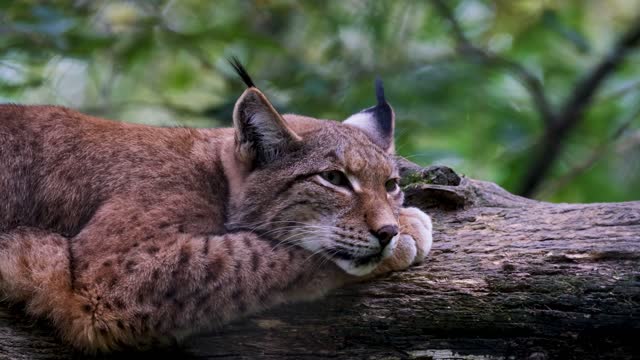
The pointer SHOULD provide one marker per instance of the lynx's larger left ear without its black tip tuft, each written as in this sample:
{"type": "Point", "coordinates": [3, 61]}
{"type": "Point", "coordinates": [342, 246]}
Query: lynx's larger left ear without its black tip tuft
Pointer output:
{"type": "Point", "coordinates": [261, 133]}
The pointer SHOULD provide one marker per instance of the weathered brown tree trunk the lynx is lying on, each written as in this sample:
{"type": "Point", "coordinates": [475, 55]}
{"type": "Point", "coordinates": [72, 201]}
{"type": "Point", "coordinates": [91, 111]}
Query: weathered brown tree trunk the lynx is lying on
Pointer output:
{"type": "Point", "coordinates": [508, 277]}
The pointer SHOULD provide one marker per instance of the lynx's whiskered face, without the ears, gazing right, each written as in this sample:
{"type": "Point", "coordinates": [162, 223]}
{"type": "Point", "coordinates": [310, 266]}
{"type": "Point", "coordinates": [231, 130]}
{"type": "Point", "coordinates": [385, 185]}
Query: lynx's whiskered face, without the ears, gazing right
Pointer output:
{"type": "Point", "coordinates": [336, 195]}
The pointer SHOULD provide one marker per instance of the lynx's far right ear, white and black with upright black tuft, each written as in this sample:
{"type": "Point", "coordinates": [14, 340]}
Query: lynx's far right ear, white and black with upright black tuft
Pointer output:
{"type": "Point", "coordinates": [378, 121]}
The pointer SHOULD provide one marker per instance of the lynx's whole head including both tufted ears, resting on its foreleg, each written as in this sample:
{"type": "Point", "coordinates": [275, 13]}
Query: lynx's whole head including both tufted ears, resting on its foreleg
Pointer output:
{"type": "Point", "coordinates": [329, 187]}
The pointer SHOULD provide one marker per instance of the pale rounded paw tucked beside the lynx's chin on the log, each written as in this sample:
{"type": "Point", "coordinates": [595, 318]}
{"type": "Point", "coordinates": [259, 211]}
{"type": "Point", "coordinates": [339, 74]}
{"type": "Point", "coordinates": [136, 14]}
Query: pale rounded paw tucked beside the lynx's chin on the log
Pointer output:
{"type": "Point", "coordinates": [414, 241]}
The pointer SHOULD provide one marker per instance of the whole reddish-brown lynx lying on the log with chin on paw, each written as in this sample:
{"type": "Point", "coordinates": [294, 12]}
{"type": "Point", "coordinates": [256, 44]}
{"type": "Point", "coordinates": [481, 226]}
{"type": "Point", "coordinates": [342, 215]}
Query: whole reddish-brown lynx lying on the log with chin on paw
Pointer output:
{"type": "Point", "coordinates": [125, 235]}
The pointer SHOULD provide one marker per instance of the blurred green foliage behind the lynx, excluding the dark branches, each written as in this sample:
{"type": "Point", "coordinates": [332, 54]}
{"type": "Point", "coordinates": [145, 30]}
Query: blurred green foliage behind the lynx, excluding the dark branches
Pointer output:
{"type": "Point", "coordinates": [164, 63]}
